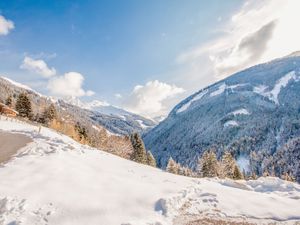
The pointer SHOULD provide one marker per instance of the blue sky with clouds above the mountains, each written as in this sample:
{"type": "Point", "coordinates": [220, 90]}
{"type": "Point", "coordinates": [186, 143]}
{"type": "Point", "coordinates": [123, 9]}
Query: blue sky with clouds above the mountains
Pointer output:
{"type": "Point", "coordinates": [125, 50]}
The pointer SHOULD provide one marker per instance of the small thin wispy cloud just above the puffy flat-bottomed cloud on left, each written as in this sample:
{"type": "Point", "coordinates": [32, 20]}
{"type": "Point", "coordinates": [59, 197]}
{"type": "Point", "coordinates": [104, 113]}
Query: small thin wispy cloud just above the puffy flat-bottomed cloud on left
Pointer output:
{"type": "Point", "coordinates": [37, 66]}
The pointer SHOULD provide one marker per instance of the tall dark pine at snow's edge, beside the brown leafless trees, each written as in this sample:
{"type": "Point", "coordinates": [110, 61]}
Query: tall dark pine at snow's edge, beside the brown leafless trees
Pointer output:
{"type": "Point", "coordinates": [139, 152]}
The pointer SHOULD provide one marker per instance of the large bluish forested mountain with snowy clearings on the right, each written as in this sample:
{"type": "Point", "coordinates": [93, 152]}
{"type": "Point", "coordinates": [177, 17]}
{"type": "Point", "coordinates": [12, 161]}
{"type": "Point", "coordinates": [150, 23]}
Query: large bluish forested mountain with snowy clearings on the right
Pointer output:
{"type": "Point", "coordinates": [254, 113]}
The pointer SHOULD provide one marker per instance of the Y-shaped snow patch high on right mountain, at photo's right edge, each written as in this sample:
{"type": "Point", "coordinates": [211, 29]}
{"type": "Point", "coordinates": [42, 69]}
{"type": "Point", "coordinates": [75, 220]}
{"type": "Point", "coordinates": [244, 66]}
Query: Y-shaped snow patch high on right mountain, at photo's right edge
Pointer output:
{"type": "Point", "coordinates": [281, 83]}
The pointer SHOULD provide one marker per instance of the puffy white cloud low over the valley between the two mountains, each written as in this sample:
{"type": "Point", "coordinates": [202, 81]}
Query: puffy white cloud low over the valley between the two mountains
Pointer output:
{"type": "Point", "coordinates": [152, 99]}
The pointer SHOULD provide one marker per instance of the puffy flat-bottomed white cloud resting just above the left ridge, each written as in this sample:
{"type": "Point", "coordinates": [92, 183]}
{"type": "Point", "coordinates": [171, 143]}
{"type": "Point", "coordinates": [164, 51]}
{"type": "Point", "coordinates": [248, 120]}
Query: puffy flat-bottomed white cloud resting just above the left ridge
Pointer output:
{"type": "Point", "coordinates": [68, 85]}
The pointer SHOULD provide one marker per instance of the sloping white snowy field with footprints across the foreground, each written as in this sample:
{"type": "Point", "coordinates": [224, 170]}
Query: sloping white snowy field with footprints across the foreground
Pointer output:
{"type": "Point", "coordinates": [55, 180]}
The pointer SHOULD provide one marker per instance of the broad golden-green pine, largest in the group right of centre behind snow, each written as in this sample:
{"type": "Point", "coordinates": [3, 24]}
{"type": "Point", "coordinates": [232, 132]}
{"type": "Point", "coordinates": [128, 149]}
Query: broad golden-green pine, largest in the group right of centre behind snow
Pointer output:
{"type": "Point", "coordinates": [208, 165]}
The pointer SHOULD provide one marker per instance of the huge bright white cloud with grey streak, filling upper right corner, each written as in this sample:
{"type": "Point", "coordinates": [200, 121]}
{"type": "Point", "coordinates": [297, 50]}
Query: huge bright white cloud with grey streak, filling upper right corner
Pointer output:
{"type": "Point", "coordinates": [260, 31]}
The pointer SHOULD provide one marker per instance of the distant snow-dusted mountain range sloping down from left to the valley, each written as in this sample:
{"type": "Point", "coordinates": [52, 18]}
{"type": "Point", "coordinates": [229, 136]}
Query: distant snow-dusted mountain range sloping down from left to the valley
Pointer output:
{"type": "Point", "coordinates": [115, 120]}
